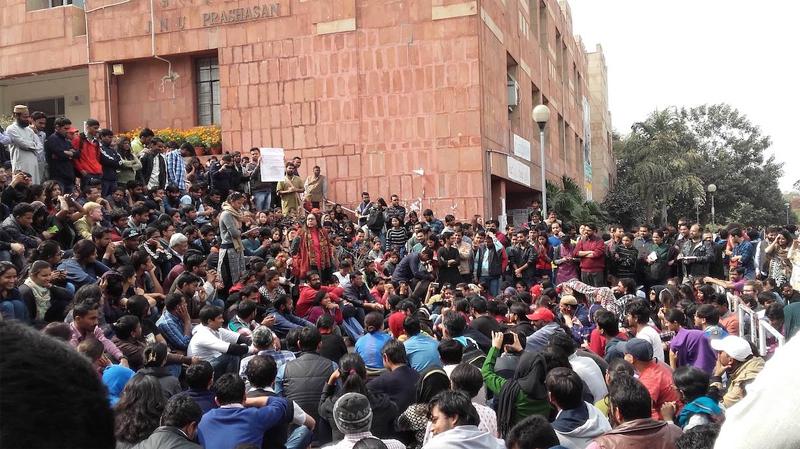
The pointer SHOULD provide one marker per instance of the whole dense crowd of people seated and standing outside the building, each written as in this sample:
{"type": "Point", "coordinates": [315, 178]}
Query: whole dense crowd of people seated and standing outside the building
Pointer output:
{"type": "Point", "coordinates": [152, 300]}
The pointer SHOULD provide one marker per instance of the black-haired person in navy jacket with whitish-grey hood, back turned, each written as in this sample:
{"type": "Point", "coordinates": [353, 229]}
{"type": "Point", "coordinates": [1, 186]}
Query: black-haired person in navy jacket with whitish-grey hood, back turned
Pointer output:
{"type": "Point", "coordinates": [577, 422]}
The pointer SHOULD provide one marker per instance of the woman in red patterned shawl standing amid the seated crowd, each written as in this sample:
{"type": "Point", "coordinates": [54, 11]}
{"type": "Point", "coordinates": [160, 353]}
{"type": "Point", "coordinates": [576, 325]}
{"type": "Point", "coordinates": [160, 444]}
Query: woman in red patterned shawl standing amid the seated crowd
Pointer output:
{"type": "Point", "coordinates": [312, 251]}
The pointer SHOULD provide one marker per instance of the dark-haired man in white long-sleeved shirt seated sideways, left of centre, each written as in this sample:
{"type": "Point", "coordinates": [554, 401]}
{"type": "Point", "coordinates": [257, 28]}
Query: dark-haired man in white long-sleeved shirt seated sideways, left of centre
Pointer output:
{"type": "Point", "coordinates": [213, 343]}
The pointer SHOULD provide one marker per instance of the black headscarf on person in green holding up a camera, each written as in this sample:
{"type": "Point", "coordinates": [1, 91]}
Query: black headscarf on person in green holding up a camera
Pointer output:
{"type": "Point", "coordinates": [529, 379]}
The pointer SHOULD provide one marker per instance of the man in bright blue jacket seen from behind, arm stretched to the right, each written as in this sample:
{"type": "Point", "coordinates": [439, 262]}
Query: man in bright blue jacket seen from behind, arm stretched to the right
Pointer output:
{"type": "Point", "coordinates": [232, 423]}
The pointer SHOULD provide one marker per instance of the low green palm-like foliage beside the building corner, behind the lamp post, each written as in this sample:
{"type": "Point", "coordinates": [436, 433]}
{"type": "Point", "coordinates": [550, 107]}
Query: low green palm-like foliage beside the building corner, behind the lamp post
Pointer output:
{"type": "Point", "coordinates": [569, 202]}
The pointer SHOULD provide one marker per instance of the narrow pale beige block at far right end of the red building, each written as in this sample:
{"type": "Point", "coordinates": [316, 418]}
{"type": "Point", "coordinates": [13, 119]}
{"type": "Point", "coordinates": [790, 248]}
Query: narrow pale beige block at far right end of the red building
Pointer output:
{"type": "Point", "coordinates": [604, 166]}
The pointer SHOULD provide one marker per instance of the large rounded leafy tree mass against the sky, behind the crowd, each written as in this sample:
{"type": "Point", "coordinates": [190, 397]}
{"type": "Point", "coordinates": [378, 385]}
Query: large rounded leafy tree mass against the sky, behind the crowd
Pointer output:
{"type": "Point", "coordinates": [669, 159]}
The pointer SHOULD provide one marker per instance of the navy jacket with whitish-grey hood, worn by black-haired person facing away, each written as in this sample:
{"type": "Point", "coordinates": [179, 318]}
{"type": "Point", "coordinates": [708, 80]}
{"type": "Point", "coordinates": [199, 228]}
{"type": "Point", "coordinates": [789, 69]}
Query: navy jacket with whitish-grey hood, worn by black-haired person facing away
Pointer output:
{"type": "Point", "coordinates": [576, 427]}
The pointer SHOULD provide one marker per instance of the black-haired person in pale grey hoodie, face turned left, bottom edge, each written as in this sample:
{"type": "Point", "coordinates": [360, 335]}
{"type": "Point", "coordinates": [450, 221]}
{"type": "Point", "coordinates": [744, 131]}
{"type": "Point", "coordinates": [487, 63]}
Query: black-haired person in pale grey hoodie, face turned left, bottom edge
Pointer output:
{"type": "Point", "coordinates": [454, 423]}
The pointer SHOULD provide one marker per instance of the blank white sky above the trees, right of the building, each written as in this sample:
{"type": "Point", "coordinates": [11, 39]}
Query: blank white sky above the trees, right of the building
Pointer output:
{"type": "Point", "coordinates": [689, 53]}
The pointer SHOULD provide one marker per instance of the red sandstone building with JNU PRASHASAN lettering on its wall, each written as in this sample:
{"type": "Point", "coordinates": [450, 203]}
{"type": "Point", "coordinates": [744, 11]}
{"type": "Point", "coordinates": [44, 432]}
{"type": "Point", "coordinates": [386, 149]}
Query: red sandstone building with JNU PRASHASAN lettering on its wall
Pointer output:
{"type": "Point", "coordinates": [429, 99]}
